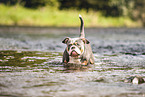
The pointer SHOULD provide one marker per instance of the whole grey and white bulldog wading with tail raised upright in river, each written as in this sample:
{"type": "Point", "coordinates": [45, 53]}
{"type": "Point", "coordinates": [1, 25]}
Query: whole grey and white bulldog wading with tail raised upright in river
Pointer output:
{"type": "Point", "coordinates": [78, 50]}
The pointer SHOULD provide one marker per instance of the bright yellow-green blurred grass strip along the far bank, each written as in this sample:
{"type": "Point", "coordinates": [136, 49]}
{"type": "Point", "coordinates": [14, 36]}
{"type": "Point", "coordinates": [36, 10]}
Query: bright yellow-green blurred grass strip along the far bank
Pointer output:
{"type": "Point", "coordinates": [18, 15]}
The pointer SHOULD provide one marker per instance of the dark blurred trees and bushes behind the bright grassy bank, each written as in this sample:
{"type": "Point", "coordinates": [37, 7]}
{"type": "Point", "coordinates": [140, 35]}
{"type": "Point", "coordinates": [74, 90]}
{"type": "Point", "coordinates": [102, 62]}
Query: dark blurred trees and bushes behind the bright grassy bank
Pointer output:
{"type": "Point", "coordinates": [109, 8]}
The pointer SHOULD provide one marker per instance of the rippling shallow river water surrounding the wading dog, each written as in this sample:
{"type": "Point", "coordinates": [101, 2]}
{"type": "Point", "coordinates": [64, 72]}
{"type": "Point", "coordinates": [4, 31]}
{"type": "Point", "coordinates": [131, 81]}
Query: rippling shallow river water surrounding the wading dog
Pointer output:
{"type": "Point", "coordinates": [30, 63]}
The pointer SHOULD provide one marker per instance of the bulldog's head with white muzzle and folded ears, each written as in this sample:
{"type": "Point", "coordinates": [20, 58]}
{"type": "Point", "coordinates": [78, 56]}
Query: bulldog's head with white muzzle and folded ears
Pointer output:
{"type": "Point", "coordinates": [75, 46]}
